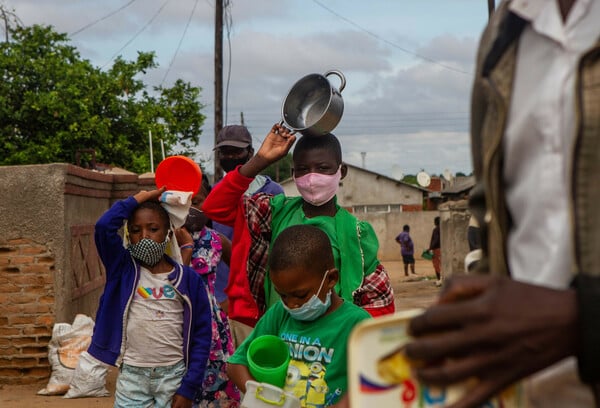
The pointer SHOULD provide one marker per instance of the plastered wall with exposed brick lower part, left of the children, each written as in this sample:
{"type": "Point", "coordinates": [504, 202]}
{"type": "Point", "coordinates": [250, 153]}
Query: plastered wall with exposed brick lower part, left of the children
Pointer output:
{"type": "Point", "coordinates": [49, 269]}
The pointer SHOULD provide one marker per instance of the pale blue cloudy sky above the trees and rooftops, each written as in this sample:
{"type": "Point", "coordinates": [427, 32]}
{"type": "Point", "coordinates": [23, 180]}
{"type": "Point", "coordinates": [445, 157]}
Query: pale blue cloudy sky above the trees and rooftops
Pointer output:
{"type": "Point", "coordinates": [408, 64]}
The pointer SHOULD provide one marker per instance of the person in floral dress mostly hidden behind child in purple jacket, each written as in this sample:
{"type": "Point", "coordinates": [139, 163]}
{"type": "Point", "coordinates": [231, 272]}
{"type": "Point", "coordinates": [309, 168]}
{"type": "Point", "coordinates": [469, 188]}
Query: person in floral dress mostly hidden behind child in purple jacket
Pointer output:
{"type": "Point", "coordinates": [203, 248]}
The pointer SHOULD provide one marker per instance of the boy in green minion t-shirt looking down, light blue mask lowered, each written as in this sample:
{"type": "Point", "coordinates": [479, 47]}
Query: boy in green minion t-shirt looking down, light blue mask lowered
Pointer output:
{"type": "Point", "coordinates": [311, 318]}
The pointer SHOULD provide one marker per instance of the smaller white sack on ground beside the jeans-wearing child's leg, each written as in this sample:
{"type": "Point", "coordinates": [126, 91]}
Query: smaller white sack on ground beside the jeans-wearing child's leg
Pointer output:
{"type": "Point", "coordinates": [89, 379]}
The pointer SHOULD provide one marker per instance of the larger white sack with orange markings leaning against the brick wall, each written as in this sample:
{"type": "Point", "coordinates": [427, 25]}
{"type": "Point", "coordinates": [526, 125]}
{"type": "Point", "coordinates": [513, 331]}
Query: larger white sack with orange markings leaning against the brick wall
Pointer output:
{"type": "Point", "coordinates": [67, 343]}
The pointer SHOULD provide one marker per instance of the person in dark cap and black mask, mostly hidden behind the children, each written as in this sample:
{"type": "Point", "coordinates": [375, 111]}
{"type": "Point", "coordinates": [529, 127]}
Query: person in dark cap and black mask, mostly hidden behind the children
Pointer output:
{"type": "Point", "coordinates": [234, 148]}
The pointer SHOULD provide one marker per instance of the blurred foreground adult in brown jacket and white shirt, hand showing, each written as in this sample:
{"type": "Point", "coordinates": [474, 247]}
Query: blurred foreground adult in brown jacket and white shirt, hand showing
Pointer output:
{"type": "Point", "coordinates": [532, 313]}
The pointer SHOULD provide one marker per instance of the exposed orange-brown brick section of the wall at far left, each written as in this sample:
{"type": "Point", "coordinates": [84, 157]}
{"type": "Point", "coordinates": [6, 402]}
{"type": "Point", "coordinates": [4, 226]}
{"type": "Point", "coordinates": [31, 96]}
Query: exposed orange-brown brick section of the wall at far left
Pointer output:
{"type": "Point", "coordinates": [27, 316]}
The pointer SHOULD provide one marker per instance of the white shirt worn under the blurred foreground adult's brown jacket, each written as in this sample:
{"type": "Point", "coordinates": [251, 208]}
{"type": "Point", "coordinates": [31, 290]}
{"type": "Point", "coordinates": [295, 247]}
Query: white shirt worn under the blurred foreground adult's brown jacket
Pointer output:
{"type": "Point", "coordinates": [538, 145]}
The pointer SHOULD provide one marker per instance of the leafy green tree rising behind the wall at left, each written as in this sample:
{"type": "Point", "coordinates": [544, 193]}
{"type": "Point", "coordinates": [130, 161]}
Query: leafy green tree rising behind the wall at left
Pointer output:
{"type": "Point", "coordinates": [53, 104]}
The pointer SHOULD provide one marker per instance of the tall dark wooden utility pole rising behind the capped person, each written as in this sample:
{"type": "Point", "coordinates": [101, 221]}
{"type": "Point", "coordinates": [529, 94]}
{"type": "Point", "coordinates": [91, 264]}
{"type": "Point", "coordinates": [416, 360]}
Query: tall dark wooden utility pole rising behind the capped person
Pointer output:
{"type": "Point", "coordinates": [218, 79]}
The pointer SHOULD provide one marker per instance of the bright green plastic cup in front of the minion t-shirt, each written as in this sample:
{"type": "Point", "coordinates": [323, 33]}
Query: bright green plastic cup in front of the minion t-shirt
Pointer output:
{"type": "Point", "coordinates": [268, 359]}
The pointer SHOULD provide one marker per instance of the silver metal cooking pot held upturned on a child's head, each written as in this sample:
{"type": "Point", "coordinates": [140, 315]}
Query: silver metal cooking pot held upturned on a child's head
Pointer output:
{"type": "Point", "coordinates": [313, 106]}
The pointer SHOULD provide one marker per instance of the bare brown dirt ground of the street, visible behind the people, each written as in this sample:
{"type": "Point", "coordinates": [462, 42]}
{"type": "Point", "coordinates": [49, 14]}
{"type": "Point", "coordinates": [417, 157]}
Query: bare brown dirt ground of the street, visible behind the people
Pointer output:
{"type": "Point", "coordinates": [414, 291]}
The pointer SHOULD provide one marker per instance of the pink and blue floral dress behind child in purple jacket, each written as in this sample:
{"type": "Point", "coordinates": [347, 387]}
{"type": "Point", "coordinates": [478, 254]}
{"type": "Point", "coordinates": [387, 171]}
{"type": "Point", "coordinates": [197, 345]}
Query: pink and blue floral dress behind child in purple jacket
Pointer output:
{"type": "Point", "coordinates": [217, 389]}
